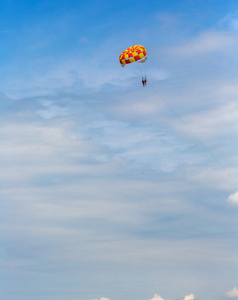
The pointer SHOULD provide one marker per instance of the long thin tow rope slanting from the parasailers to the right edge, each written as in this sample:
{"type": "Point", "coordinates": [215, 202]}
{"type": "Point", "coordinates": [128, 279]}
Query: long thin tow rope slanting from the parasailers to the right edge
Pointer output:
{"type": "Point", "coordinates": [189, 130]}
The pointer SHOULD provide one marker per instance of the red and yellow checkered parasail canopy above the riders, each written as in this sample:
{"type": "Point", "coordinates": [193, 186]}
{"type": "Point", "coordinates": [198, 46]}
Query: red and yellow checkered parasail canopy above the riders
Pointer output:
{"type": "Point", "coordinates": [134, 53]}
